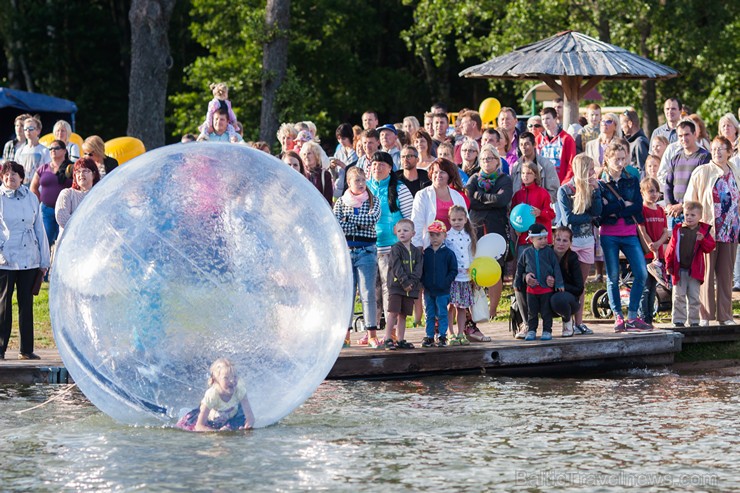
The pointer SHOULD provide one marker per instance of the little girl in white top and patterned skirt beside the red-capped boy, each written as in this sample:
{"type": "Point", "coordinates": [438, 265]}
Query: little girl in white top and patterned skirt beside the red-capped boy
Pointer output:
{"type": "Point", "coordinates": [461, 239]}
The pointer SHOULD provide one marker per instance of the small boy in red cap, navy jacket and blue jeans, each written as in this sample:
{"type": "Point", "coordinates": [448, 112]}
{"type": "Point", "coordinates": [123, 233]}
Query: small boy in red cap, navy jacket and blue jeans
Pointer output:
{"type": "Point", "coordinates": [440, 269]}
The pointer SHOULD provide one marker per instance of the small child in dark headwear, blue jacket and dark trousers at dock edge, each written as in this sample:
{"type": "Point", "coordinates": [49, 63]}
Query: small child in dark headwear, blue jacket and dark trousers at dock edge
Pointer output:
{"type": "Point", "coordinates": [539, 269]}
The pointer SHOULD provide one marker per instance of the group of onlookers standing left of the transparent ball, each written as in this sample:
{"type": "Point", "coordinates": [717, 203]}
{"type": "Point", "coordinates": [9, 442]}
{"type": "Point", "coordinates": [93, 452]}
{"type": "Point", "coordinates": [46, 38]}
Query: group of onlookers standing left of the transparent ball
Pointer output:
{"type": "Point", "coordinates": [41, 188]}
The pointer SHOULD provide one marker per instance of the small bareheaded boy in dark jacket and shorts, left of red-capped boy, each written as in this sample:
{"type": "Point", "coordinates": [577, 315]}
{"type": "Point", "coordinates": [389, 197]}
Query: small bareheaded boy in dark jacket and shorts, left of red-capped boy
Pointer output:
{"type": "Point", "coordinates": [404, 283]}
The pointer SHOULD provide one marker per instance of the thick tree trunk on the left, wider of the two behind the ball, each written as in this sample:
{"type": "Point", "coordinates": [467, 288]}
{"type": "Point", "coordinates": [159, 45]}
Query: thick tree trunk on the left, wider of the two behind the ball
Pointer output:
{"type": "Point", "coordinates": [150, 63]}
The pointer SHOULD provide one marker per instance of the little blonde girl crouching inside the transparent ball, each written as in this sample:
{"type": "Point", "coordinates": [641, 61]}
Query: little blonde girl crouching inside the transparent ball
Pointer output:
{"type": "Point", "coordinates": [225, 405]}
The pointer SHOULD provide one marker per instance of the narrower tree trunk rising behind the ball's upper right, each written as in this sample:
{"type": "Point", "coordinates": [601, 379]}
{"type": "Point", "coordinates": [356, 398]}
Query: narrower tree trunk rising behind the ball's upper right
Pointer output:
{"type": "Point", "coordinates": [274, 64]}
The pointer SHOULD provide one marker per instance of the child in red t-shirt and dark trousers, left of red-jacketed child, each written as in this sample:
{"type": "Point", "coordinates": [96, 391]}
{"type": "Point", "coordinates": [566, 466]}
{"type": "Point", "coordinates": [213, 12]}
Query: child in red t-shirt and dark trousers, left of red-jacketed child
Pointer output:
{"type": "Point", "coordinates": [655, 233]}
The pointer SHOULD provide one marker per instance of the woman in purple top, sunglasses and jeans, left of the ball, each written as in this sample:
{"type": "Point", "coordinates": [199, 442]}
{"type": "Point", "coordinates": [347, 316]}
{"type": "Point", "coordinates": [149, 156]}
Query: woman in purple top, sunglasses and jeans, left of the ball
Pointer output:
{"type": "Point", "coordinates": [48, 182]}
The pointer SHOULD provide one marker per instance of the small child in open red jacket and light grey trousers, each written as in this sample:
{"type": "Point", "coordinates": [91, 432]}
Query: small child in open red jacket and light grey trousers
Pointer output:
{"type": "Point", "coordinates": [685, 262]}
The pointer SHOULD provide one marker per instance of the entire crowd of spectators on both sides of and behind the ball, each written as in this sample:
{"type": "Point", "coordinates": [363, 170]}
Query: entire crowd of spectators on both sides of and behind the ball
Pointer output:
{"type": "Point", "coordinates": [412, 199]}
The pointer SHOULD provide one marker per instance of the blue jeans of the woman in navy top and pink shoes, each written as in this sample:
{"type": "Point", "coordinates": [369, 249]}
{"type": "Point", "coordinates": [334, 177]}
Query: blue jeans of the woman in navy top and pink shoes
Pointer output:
{"type": "Point", "coordinates": [630, 246]}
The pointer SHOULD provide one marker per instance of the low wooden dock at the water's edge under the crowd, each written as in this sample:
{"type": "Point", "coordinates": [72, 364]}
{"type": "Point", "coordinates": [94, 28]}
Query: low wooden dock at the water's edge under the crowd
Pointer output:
{"type": "Point", "coordinates": [604, 350]}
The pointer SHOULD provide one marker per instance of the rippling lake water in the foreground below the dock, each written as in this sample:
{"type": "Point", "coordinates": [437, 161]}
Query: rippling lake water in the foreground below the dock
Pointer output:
{"type": "Point", "coordinates": [655, 430]}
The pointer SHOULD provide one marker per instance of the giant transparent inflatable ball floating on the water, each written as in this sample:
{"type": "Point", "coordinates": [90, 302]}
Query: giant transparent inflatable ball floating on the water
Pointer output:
{"type": "Point", "coordinates": [194, 252]}
